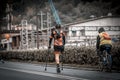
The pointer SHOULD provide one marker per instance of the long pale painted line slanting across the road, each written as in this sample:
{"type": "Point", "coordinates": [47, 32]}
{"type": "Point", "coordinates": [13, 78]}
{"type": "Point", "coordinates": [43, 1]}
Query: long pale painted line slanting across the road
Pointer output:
{"type": "Point", "coordinates": [46, 74]}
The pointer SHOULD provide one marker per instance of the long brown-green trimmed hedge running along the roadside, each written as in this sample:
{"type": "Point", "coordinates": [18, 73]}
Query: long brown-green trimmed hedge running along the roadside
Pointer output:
{"type": "Point", "coordinates": [73, 55]}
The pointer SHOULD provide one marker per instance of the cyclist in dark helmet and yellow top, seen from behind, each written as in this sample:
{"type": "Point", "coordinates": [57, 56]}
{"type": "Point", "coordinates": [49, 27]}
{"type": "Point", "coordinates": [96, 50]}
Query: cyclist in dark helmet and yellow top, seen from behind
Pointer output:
{"type": "Point", "coordinates": [103, 41]}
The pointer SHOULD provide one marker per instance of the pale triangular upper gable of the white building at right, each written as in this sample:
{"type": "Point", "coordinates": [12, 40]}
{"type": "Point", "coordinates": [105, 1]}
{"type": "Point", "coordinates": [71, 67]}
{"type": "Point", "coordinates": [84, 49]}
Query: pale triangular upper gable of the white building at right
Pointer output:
{"type": "Point", "coordinates": [108, 21]}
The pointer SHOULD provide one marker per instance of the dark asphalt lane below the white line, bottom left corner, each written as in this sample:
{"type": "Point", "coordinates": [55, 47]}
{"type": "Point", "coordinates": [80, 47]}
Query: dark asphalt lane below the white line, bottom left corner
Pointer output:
{"type": "Point", "coordinates": [16, 75]}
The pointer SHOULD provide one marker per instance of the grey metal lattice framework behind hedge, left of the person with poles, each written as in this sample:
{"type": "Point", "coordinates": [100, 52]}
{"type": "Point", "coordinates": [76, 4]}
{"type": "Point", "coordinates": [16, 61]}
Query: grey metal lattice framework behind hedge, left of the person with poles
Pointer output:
{"type": "Point", "coordinates": [32, 39]}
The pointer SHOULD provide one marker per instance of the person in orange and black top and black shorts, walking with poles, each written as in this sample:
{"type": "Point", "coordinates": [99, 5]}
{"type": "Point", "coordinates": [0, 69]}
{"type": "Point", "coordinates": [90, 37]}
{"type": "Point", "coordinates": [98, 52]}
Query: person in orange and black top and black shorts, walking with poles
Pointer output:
{"type": "Point", "coordinates": [59, 42]}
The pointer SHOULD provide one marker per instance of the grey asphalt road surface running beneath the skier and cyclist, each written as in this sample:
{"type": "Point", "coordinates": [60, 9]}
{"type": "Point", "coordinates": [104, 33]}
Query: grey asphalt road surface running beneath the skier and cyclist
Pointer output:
{"type": "Point", "coordinates": [28, 71]}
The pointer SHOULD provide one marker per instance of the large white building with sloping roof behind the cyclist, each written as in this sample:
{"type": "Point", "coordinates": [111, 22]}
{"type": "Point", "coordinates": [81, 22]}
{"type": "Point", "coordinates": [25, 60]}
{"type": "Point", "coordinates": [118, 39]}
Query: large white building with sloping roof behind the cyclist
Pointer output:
{"type": "Point", "coordinates": [85, 32]}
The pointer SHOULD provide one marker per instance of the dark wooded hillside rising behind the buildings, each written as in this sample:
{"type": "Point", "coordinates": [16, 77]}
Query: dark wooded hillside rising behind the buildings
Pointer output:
{"type": "Point", "coordinates": [68, 10]}
